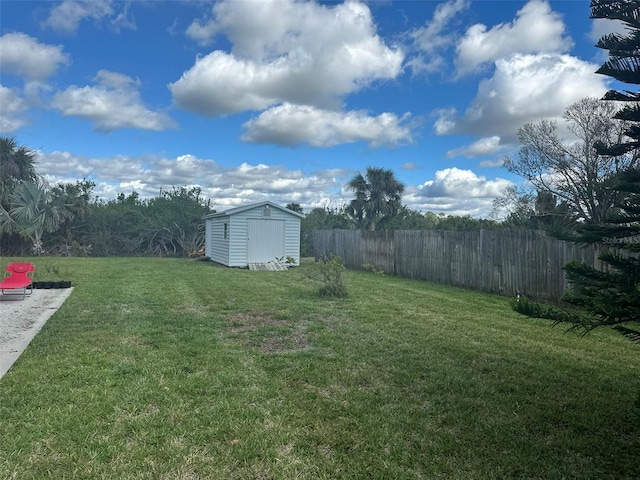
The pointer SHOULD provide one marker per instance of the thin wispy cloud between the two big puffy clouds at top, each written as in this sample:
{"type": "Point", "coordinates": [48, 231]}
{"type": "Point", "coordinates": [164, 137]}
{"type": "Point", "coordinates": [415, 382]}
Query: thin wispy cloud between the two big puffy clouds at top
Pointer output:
{"type": "Point", "coordinates": [435, 37]}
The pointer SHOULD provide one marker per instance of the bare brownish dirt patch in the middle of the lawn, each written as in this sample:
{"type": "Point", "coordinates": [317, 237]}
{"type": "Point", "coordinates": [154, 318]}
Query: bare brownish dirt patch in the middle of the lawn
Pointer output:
{"type": "Point", "coordinates": [267, 333]}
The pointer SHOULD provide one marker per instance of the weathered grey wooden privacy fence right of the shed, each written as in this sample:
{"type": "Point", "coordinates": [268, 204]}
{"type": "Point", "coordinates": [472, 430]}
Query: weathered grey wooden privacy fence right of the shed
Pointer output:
{"type": "Point", "coordinates": [505, 262]}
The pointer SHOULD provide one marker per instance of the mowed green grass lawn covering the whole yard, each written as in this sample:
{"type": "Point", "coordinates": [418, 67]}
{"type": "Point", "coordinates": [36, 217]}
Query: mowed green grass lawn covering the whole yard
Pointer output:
{"type": "Point", "coordinates": [176, 369]}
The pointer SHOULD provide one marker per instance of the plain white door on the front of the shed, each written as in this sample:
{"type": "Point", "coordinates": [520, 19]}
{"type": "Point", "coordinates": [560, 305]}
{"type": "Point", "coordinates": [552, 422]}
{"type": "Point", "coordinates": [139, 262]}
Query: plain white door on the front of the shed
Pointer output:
{"type": "Point", "coordinates": [265, 240]}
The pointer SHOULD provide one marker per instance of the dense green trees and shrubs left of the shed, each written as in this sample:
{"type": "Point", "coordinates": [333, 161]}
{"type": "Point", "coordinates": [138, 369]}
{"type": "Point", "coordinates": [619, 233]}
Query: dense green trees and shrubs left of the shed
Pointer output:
{"type": "Point", "coordinates": [67, 219]}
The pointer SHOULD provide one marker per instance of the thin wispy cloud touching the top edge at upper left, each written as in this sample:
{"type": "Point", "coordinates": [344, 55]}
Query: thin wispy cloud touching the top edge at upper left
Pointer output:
{"type": "Point", "coordinates": [66, 17]}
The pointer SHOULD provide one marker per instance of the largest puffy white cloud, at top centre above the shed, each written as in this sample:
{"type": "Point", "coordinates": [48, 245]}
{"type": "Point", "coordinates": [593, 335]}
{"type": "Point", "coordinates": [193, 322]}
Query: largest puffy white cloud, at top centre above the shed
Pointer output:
{"type": "Point", "coordinates": [284, 51]}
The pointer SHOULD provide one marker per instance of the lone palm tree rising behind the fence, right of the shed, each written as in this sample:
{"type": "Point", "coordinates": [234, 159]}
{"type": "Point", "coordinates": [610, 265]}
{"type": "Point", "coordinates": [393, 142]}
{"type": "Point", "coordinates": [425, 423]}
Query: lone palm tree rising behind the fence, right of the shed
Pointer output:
{"type": "Point", "coordinates": [378, 195]}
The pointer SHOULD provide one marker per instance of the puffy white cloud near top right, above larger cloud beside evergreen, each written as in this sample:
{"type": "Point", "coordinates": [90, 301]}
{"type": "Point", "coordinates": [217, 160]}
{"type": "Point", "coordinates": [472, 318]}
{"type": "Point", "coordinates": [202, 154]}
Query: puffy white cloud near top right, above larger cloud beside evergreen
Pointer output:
{"type": "Point", "coordinates": [536, 29]}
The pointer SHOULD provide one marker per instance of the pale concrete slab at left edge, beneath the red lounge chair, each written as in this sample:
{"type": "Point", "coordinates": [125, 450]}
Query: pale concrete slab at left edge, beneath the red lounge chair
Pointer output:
{"type": "Point", "coordinates": [21, 320]}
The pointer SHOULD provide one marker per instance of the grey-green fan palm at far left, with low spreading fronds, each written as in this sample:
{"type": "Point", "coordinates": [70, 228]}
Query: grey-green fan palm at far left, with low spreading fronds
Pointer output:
{"type": "Point", "coordinates": [32, 211]}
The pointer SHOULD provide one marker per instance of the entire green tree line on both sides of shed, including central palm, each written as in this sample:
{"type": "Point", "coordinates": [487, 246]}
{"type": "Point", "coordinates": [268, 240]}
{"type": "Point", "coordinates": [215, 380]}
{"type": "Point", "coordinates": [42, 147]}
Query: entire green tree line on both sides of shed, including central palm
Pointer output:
{"type": "Point", "coordinates": [69, 219]}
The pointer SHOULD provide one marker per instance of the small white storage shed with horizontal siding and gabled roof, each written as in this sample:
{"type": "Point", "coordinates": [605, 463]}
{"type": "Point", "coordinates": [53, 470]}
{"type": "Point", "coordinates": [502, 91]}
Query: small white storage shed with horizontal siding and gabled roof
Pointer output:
{"type": "Point", "coordinates": [256, 233]}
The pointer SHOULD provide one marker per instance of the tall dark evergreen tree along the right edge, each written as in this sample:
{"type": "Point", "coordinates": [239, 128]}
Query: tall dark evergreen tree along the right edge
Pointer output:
{"type": "Point", "coordinates": [613, 296]}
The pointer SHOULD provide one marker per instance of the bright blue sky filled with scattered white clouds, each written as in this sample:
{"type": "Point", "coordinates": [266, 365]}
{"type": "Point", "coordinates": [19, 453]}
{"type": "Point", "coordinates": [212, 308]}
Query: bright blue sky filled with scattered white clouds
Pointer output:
{"type": "Point", "coordinates": [285, 101]}
